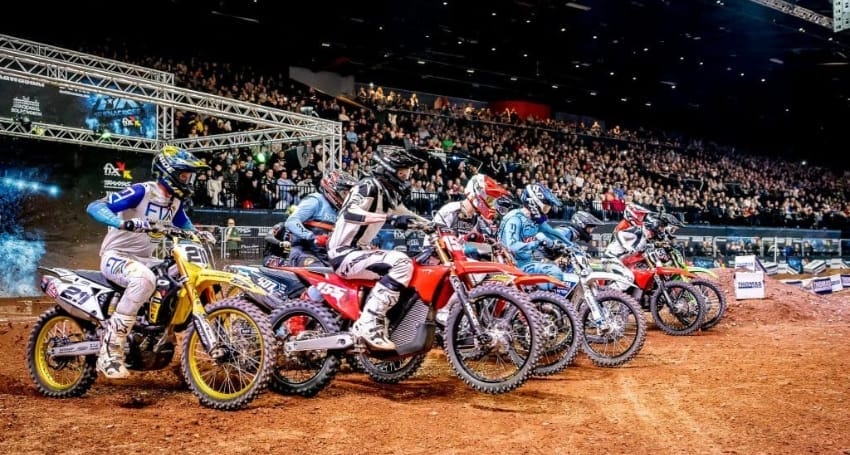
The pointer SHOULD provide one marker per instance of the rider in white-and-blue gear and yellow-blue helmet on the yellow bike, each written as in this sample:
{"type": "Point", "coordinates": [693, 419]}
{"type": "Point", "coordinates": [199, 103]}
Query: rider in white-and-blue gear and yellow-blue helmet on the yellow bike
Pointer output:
{"type": "Point", "coordinates": [127, 249]}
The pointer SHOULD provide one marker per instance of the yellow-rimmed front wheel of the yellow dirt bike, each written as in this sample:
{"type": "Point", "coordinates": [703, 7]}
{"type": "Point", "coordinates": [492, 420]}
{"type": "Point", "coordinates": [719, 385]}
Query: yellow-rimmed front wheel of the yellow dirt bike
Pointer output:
{"type": "Point", "coordinates": [238, 367]}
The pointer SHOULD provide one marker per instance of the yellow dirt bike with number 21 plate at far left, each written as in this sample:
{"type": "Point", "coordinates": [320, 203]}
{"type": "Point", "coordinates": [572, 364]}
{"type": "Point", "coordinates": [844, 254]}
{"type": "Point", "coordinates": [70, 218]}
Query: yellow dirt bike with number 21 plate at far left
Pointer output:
{"type": "Point", "coordinates": [227, 345]}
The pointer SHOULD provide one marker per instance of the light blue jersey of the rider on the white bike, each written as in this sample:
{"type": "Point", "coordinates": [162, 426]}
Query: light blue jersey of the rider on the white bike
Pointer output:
{"type": "Point", "coordinates": [518, 231]}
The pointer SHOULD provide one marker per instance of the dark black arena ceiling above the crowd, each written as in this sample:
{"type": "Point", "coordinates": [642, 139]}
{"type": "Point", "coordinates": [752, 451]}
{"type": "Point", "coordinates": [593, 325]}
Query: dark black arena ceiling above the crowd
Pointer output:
{"type": "Point", "coordinates": [731, 69]}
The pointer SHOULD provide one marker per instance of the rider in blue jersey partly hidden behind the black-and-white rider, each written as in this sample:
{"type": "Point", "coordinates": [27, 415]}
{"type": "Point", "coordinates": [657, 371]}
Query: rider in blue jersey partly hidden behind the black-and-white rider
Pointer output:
{"type": "Point", "coordinates": [308, 226]}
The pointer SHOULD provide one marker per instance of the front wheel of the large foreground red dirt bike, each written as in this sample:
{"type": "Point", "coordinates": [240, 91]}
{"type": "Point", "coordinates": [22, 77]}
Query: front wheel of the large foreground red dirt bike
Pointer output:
{"type": "Point", "coordinates": [501, 356]}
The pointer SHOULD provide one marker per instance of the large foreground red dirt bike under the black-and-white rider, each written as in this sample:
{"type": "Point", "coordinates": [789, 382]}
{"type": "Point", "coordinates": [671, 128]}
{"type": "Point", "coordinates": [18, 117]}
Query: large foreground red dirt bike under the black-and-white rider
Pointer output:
{"type": "Point", "coordinates": [494, 327]}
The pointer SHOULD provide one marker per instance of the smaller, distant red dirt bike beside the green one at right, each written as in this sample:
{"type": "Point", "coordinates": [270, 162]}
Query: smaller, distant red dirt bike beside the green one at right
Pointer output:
{"type": "Point", "coordinates": [677, 307]}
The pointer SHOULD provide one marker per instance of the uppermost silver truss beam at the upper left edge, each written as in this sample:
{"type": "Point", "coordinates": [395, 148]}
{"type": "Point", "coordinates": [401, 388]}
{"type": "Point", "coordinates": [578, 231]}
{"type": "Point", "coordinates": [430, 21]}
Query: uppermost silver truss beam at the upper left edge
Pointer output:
{"type": "Point", "coordinates": [59, 54]}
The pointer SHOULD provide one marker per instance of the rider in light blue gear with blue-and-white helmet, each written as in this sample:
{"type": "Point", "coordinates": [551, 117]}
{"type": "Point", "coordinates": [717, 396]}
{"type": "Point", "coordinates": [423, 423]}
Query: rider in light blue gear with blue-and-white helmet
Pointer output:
{"type": "Point", "coordinates": [520, 228]}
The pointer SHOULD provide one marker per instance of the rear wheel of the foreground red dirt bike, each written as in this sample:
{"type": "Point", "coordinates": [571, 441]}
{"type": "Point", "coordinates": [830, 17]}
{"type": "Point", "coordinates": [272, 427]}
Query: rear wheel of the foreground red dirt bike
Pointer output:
{"type": "Point", "coordinates": [303, 373]}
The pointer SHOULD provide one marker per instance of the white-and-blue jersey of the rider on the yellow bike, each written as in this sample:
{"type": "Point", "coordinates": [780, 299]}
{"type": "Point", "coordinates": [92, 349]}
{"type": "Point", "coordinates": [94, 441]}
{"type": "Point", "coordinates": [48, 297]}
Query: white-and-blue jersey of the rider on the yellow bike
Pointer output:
{"type": "Point", "coordinates": [146, 200]}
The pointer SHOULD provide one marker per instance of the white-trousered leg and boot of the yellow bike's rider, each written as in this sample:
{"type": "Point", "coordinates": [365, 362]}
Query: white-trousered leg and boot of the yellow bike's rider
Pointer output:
{"type": "Point", "coordinates": [139, 283]}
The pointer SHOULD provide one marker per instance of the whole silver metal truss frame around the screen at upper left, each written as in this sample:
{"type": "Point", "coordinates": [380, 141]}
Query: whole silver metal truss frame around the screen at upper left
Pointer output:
{"type": "Point", "coordinates": [81, 72]}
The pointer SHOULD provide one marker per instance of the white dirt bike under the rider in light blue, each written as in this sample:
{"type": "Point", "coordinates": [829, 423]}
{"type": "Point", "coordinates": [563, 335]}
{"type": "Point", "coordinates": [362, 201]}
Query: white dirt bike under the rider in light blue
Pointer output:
{"type": "Point", "coordinates": [614, 330]}
